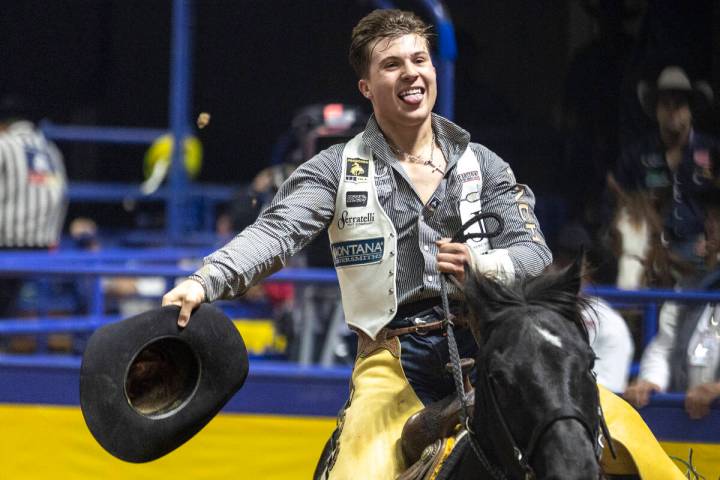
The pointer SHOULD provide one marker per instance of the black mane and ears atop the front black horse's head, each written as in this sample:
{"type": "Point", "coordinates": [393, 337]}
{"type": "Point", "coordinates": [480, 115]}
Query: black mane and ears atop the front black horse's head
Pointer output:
{"type": "Point", "coordinates": [554, 291]}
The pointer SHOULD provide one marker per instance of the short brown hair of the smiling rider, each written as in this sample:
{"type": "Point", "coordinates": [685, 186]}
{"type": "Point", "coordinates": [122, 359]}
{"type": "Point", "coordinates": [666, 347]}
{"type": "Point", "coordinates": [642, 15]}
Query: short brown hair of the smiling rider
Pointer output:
{"type": "Point", "coordinates": [381, 24]}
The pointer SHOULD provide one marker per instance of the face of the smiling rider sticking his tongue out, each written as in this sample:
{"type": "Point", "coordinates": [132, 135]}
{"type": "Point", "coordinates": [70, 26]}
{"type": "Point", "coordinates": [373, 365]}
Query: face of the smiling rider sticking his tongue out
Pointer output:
{"type": "Point", "coordinates": [401, 81]}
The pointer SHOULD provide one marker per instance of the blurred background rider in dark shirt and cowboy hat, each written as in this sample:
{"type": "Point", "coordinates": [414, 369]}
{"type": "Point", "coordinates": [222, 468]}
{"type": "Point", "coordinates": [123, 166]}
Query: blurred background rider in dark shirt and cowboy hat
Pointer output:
{"type": "Point", "coordinates": [675, 163]}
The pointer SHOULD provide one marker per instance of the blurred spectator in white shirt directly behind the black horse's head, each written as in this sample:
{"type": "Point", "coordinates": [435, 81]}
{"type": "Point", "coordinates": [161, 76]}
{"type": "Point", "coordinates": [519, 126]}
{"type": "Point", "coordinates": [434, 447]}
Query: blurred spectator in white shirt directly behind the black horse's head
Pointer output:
{"type": "Point", "coordinates": [610, 338]}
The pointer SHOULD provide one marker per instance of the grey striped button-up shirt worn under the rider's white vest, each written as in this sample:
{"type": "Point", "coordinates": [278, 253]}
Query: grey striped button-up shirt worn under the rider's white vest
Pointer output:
{"type": "Point", "coordinates": [305, 205]}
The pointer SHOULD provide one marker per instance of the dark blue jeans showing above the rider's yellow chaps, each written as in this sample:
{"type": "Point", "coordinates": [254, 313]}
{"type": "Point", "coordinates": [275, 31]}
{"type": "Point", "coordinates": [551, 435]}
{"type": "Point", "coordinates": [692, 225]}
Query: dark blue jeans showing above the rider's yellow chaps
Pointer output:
{"type": "Point", "coordinates": [423, 358]}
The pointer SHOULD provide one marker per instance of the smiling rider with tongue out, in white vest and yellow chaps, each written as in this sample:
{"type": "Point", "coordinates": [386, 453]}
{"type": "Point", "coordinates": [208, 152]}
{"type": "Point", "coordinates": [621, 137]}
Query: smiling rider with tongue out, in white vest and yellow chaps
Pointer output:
{"type": "Point", "coordinates": [389, 199]}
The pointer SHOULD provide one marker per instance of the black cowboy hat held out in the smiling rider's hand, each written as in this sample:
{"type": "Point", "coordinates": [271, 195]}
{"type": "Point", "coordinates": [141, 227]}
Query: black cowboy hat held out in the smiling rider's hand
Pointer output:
{"type": "Point", "coordinates": [147, 386]}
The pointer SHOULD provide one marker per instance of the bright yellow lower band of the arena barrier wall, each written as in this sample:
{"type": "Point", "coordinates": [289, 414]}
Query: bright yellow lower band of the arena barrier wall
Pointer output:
{"type": "Point", "coordinates": [40, 442]}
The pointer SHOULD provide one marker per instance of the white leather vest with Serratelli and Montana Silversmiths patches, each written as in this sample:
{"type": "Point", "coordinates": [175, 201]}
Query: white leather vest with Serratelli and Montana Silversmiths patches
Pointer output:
{"type": "Point", "coordinates": [363, 240]}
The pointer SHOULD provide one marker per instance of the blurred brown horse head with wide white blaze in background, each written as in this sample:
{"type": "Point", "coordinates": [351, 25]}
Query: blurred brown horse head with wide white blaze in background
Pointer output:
{"type": "Point", "coordinates": [636, 233]}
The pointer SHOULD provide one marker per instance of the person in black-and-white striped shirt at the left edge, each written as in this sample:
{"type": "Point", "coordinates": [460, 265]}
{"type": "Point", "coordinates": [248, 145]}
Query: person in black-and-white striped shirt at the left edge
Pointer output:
{"type": "Point", "coordinates": [33, 189]}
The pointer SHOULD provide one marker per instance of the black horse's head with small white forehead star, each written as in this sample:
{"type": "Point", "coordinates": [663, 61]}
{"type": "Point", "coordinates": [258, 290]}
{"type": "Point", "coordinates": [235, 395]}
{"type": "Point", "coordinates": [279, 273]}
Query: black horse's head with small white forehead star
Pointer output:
{"type": "Point", "coordinates": [536, 400]}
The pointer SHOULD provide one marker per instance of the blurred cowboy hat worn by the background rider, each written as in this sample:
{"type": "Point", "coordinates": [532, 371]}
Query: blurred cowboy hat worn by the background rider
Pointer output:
{"type": "Point", "coordinates": [674, 79]}
